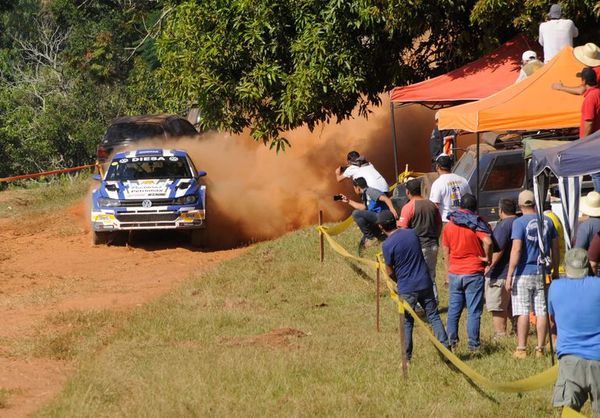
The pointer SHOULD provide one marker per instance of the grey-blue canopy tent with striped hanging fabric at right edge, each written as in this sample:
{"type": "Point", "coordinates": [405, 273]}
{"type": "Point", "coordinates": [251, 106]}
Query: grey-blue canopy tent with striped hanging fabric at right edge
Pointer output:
{"type": "Point", "coordinates": [569, 163]}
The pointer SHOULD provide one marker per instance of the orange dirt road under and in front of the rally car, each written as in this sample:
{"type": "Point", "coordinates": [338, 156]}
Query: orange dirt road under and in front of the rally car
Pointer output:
{"type": "Point", "coordinates": [47, 266]}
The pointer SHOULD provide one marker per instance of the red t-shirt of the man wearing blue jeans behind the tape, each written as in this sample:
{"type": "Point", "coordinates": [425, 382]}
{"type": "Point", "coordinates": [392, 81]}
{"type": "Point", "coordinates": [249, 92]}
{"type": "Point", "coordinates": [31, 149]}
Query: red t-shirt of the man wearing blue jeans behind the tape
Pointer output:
{"type": "Point", "coordinates": [464, 248]}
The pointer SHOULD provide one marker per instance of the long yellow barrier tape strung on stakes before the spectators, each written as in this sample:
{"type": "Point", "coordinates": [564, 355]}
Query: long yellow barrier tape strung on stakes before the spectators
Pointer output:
{"type": "Point", "coordinates": [538, 381]}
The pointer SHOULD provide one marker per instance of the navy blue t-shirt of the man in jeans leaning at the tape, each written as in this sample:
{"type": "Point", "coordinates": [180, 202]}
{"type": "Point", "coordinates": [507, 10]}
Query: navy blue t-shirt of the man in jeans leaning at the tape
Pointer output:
{"type": "Point", "coordinates": [402, 251]}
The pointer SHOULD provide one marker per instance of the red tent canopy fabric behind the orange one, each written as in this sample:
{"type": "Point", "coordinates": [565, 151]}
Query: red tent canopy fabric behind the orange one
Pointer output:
{"type": "Point", "coordinates": [474, 81]}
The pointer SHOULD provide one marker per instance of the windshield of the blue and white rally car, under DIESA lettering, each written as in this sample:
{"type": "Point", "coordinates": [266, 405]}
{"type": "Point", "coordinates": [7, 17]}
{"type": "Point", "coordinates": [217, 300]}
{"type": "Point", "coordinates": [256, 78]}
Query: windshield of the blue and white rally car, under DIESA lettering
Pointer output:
{"type": "Point", "coordinates": [148, 168]}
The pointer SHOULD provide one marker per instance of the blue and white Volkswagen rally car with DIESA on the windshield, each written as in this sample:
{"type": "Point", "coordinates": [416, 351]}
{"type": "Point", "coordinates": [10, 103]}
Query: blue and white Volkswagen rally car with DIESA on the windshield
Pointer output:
{"type": "Point", "coordinates": [149, 189]}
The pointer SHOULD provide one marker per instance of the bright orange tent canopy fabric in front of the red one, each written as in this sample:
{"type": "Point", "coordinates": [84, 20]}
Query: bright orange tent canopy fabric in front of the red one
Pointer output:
{"type": "Point", "coordinates": [529, 105]}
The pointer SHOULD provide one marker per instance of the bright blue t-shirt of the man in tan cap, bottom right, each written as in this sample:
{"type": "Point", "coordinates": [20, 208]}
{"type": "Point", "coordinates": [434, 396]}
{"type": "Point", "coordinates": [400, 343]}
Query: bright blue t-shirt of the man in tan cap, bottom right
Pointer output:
{"type": "Point", "coordinates": [574, 304]}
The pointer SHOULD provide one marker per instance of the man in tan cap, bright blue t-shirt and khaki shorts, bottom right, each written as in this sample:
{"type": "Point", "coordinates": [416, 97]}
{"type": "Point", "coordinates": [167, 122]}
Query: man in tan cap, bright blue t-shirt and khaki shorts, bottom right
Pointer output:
{"type": "Point", "coordinates": [574, 301]}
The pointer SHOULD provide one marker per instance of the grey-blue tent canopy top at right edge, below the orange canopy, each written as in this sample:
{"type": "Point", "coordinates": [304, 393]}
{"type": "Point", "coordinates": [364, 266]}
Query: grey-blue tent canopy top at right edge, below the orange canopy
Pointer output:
{"type": "Point", "coordinates": [575, 158]}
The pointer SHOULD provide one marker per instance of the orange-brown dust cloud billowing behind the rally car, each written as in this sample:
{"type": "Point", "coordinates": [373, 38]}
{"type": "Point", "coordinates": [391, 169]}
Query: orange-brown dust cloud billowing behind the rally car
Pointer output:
{"type": "Point", "coordinates": [254, 194]}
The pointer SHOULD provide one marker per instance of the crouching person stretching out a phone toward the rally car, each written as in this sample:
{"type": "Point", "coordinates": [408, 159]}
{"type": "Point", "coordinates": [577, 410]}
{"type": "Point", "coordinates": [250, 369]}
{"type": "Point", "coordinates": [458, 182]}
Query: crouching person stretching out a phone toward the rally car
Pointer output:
{"type": "Point", "coordinates": [365, 212]}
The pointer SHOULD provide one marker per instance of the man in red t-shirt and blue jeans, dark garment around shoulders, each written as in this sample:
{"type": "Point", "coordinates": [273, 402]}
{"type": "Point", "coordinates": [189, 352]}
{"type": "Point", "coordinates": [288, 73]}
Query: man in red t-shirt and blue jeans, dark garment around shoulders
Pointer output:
{"type": "Point", "coordinates": [468, 250]}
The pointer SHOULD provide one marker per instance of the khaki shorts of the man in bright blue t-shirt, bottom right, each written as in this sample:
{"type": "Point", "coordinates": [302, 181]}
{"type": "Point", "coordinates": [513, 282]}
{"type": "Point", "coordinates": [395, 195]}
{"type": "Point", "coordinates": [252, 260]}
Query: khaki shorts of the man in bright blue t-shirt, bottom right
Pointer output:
{"type": "Point", "coordinates": [577, 381]}
